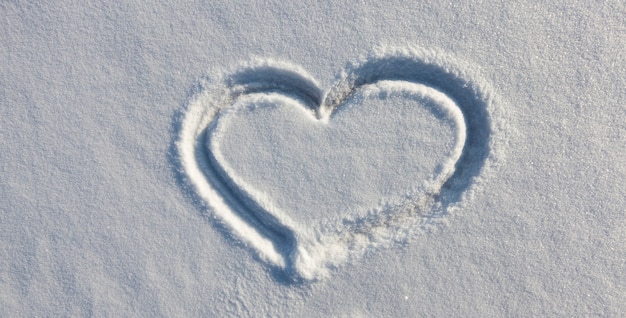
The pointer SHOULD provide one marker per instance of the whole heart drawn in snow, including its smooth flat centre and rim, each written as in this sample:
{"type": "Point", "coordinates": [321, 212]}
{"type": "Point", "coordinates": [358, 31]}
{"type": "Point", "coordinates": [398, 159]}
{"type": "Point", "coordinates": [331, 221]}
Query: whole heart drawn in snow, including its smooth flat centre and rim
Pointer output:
{"type": "Point", "coordinates": [310, 179]}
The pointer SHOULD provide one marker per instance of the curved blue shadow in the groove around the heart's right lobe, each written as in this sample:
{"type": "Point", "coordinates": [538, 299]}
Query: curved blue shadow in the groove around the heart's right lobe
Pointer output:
{"type": "Point", "coordinates": [469, 97]}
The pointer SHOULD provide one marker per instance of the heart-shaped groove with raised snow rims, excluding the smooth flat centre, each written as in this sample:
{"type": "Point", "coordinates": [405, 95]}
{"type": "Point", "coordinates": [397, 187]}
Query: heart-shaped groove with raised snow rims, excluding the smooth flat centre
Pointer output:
{"type": "Point", "coordinates": [305, 253]}
